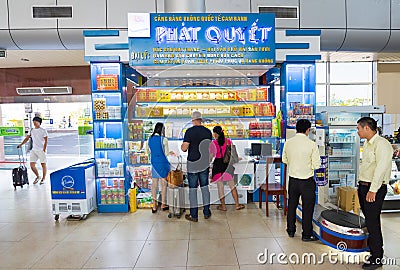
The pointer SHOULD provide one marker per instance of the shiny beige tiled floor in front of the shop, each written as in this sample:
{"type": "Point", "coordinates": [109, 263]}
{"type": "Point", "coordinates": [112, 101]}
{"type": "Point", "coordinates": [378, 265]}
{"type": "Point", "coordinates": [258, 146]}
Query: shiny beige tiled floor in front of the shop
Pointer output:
{"type": "Point", "coordinates": [31, 239]}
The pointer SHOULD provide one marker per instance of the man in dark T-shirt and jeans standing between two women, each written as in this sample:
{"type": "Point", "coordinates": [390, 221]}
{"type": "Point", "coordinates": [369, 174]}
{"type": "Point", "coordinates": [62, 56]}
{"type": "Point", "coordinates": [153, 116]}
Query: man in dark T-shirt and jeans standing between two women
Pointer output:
{"type": "Point", "coordinates": [197, 142]}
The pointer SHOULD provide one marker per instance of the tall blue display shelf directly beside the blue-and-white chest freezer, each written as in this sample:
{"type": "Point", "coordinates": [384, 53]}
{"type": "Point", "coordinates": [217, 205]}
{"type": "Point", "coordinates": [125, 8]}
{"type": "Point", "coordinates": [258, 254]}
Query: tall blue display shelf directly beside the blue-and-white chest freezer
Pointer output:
{"type": "Point", "coordinates": [109, 105]}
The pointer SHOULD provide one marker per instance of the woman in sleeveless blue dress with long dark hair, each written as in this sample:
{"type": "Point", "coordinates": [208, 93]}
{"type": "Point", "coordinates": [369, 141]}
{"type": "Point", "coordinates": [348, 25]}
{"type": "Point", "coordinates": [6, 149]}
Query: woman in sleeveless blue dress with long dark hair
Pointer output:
{"type": "Point", "coordinates": [157, 145]}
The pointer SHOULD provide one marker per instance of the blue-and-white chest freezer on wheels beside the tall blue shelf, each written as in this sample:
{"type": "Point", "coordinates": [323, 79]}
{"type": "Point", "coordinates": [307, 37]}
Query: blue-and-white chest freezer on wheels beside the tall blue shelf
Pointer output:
{"type": "Point", "coordinates": [73, 190]}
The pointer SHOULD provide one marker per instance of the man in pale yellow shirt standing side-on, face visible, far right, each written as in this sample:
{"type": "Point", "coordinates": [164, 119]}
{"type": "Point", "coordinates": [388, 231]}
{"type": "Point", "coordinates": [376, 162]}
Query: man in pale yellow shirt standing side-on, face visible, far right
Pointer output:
{"type": "Point", "coordinates": [375, 169]}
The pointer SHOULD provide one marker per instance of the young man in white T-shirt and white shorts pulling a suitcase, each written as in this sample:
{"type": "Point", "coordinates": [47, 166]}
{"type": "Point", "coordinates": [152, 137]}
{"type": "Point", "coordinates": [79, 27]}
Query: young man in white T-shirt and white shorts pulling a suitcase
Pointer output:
{"type": "Point", "coordinates": [39, 139]}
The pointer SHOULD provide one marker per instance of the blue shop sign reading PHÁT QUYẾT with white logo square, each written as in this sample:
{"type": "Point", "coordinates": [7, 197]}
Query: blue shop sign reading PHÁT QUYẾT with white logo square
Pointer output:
{"type": "Point", "coordinates": [196, 38]}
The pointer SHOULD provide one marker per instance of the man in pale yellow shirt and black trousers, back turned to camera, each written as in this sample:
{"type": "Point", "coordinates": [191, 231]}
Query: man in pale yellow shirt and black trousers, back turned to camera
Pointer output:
{"type": "Point", "coordinates": [302, 157]}
